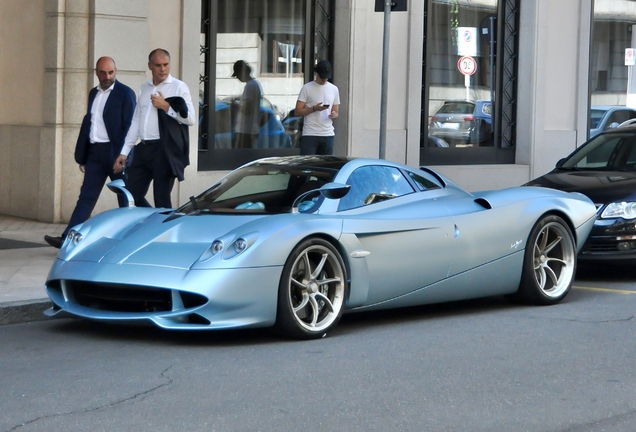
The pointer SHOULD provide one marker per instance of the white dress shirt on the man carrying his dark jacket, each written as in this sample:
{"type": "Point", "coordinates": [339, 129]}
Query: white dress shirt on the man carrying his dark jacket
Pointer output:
{"type": "Point", "coordinates": [145, 122]}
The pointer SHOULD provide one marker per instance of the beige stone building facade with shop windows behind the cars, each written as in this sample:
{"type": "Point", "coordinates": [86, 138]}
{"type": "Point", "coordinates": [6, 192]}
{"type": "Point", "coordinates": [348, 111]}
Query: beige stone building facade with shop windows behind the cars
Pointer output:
{"type": "Point", "coordinates": [537, 66]}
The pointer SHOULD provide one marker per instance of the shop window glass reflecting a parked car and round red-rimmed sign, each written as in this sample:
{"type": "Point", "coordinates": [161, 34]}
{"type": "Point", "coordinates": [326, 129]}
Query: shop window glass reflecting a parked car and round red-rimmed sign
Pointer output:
{"type": "Point", "coordinates": [461, 59]}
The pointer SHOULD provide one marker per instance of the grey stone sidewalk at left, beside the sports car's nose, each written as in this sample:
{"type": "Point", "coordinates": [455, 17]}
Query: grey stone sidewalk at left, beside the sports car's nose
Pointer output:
{"type": "Point", "coordinates": [25, 260]}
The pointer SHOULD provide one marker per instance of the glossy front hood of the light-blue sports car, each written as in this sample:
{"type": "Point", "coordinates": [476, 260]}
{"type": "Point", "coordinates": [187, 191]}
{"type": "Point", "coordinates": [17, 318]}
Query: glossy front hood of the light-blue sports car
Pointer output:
{"type": "Point", "coordinates": [157, 240]}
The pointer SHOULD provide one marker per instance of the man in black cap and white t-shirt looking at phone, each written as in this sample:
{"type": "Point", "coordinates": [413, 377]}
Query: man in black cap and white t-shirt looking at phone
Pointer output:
{"type": "Point", "coordinates": [318, 102]}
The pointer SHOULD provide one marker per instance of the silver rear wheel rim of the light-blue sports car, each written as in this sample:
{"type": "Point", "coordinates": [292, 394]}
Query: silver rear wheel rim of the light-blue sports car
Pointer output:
{"type": "Point", "coordinates": [554, 259]}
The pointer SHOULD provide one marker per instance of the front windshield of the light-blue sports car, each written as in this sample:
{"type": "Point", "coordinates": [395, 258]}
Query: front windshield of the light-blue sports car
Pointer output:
{"type": "Point", "coordinates": [267, 187]}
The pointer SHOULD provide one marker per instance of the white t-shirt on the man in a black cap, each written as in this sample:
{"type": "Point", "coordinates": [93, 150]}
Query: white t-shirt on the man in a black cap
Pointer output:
{"type": "Point", "coordinates": [318, 123]}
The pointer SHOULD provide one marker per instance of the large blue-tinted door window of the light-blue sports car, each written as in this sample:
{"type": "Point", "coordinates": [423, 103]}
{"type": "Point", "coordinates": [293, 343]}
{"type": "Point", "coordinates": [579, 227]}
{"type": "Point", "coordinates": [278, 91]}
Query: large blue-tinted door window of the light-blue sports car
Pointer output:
{"type": "Point", "coordinates": [372, 184]}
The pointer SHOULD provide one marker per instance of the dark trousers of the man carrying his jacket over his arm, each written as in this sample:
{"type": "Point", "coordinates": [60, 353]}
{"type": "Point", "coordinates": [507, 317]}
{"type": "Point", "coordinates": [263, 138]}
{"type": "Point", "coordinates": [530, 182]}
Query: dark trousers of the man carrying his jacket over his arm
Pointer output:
{"type": "Point", "coordinates": [150, 164]}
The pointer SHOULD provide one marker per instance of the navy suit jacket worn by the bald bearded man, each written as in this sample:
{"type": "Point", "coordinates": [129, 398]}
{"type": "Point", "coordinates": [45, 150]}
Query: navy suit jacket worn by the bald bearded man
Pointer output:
{"type": "Point", "coordinates": [118, 113]}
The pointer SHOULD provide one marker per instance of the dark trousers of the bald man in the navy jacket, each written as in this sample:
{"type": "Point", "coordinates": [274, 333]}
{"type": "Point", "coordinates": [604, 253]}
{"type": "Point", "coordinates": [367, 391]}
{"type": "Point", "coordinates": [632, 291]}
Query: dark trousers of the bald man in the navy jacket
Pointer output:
{"type": "Point", "coordinates": [98, 168]}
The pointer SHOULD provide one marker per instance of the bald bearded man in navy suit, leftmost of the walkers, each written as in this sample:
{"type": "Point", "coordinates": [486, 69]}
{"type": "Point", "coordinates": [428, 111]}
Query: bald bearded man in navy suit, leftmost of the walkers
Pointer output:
{"type": "Point", "coordinates": [110, 110]}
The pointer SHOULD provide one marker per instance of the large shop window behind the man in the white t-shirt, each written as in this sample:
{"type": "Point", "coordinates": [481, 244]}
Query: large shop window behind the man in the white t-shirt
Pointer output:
{"type": "Point", "coordinates": [269, 38]}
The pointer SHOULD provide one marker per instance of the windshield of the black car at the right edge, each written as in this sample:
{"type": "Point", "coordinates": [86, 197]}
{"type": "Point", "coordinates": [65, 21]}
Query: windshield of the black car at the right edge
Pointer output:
{"type": "Point", "coordinates": [615, 151]}
